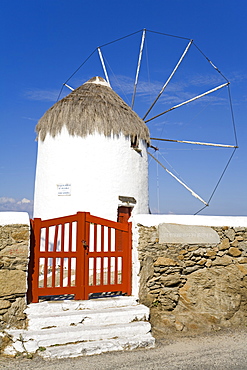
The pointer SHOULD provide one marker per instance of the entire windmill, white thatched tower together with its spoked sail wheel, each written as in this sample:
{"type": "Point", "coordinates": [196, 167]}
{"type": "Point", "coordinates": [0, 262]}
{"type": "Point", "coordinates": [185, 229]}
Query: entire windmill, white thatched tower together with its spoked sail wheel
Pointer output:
{"type": "Point", "coordinates": [92, 152]}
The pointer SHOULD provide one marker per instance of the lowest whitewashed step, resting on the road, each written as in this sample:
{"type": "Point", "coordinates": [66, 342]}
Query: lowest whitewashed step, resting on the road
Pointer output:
{"type": "Point", "coordinates": [97, 347]}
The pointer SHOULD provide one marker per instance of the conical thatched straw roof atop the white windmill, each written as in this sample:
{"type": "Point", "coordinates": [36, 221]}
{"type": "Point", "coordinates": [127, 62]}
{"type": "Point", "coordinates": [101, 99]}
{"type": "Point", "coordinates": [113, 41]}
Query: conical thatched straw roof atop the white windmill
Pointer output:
{"type": "Point", "coordinates": [92, 107]}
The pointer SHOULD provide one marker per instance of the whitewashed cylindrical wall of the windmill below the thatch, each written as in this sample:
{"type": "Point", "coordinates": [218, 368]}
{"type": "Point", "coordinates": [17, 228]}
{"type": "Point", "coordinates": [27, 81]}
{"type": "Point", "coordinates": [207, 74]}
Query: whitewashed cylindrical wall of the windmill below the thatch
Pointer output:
{"type": "Point", "coordinates": [98, 170]}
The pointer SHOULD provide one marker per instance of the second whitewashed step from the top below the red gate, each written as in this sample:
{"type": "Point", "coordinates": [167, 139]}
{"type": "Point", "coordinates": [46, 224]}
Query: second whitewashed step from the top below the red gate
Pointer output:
{"type": "Point", "coordinates": [107, 316]}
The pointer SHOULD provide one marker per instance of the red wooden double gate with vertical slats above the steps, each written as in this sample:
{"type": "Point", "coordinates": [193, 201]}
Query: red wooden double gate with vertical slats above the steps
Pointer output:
{"type": "Point", "coordinates": [79, 255]}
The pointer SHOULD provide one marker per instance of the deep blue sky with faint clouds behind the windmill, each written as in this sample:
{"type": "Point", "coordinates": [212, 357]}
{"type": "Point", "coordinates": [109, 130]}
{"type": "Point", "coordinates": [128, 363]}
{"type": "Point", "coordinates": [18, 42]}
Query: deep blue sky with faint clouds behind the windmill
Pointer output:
{"type": "Point", "coordinates": [44, 42]}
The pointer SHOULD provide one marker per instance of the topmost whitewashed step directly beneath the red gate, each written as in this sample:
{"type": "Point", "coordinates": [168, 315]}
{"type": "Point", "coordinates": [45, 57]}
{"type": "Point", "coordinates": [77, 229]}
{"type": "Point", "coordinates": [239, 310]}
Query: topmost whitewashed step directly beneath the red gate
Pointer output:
{"type": "Point", "coordinates": [71, 305]}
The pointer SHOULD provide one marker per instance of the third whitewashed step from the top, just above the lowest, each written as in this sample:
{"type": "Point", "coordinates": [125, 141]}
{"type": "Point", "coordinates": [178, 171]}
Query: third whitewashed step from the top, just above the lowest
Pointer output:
{"type": "Point", "coordinates": [57, 336]}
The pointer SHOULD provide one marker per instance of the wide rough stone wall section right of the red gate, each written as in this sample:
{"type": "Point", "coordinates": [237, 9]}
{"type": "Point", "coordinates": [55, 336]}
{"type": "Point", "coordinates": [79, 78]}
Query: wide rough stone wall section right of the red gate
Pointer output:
{"type": "Point", "coordinates": [194, 287]}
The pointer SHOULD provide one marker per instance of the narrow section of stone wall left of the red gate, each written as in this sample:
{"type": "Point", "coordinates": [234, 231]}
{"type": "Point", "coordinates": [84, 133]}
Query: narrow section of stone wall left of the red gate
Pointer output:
{"type": "Point", "coordinates": [14, 252]}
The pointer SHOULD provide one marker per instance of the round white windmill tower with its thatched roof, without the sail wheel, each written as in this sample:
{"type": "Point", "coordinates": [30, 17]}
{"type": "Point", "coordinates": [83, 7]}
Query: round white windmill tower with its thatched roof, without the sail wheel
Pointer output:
{"type": "Point", "coordinates": [92, 155]}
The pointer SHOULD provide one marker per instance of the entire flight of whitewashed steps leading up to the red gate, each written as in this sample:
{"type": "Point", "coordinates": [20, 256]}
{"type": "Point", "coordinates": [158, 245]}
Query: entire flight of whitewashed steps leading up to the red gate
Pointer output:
{"type": "Point", "coordinates": [75, 328]}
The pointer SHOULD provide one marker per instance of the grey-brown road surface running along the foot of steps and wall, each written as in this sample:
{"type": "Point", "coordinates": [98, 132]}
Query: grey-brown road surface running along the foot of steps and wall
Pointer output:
{"type": "Point", "coordinates": [223, 350]}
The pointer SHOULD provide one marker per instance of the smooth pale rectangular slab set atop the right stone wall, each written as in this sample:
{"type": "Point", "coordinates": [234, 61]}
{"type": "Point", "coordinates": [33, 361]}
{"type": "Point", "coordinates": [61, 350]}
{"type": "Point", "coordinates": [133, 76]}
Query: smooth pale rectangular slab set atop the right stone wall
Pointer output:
{"type": "Point", "coordinates": [187, 234]}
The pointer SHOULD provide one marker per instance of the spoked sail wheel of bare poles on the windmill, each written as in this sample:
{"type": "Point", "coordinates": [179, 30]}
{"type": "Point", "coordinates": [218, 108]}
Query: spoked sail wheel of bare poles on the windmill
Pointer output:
{"type": "Point", "coordinates": [163, 95]}
